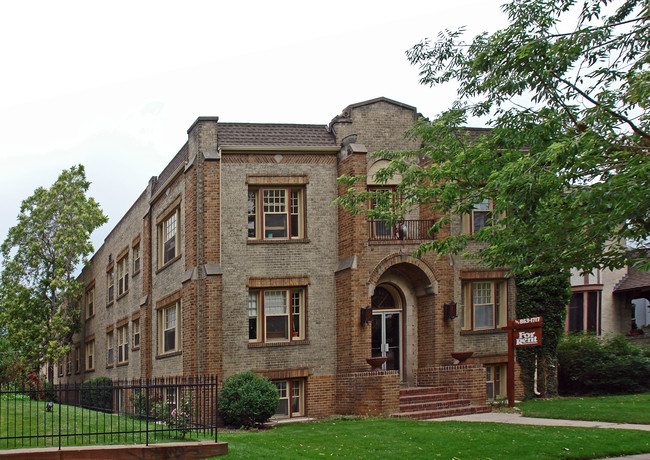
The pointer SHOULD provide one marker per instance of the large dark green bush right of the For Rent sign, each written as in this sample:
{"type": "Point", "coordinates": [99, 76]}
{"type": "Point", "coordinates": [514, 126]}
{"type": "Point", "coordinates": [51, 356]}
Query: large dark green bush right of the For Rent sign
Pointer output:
{"type": "Point", "coordinates": [611, 365]}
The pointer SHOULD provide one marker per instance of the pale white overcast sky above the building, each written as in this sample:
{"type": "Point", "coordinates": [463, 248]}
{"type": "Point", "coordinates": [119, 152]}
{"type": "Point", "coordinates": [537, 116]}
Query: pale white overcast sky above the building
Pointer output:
{"type": "Point", "coordinates": [115, 85]}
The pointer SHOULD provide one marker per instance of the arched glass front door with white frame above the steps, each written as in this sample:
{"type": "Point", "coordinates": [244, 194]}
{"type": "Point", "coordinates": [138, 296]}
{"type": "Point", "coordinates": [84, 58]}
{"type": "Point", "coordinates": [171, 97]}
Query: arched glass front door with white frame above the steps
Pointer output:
{"type": "Point", "coordinates": [387, 306]}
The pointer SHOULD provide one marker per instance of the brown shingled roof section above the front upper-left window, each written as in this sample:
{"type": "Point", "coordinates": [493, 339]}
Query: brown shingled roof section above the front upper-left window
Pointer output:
{"type": "Point", "coordinates": [274, 135]}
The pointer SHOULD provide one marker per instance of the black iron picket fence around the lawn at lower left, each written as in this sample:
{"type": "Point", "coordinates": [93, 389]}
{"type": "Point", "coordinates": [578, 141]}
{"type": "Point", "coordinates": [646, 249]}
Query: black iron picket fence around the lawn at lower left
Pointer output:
{"type": "Point", "coordinates": [106, 412]}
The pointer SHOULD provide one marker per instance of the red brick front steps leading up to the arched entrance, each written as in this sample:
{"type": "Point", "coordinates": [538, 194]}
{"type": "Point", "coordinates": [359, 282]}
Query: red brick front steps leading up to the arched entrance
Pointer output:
{"type": "Point", "coordinates": [423, 403]}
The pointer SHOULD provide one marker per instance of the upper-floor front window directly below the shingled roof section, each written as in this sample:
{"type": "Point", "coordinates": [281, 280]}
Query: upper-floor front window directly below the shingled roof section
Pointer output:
{"type": "Point", "coordinates": [276, 213]}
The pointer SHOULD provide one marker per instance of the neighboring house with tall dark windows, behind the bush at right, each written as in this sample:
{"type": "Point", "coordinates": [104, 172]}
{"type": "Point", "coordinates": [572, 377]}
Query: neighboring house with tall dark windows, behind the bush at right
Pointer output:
{"type": "Point", "coordinates": [609, 301]}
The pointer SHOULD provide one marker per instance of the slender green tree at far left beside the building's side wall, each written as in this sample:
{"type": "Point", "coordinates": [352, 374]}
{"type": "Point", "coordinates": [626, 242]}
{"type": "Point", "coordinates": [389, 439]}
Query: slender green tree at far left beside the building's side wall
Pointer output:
{"type": "Point", "coordinates": [38, 288]}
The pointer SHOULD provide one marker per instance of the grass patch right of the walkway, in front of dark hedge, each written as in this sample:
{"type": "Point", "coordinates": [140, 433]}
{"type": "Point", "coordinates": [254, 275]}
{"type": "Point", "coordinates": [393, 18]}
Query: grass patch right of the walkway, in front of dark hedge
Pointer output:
{"type": "Point", "coordinates": [617, 409]}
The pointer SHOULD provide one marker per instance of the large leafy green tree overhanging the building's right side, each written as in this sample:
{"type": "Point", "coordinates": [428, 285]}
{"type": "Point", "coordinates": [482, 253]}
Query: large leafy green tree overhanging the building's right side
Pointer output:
{"type": "Point", "coordinates": [566, 162]}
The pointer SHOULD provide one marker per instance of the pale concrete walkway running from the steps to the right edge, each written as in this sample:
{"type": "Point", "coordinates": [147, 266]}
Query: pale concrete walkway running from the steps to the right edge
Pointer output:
{"type": "Point", "coordinates": [502, 417]}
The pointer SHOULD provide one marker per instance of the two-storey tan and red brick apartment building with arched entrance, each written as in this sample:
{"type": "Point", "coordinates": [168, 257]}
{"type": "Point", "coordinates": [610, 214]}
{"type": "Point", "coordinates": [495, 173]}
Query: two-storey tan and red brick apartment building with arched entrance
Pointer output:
{"type": "Point", "coordinates": [234, 258]}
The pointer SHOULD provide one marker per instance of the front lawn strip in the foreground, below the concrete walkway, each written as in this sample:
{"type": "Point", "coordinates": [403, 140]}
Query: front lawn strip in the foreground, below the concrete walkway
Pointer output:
{"type": "Point", "coordinates": [390, 439]}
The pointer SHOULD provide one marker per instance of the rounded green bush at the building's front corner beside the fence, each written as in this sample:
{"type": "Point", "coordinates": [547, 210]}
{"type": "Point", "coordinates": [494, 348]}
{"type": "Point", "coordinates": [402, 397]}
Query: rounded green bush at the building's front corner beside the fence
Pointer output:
{"type": "Point", "coordinates": [248, 400]}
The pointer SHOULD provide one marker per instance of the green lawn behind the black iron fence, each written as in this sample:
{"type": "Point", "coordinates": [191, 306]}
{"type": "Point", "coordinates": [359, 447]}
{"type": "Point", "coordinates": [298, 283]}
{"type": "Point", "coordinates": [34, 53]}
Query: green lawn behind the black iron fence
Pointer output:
{"type": "Point", "coordinates": [23, 417]}
